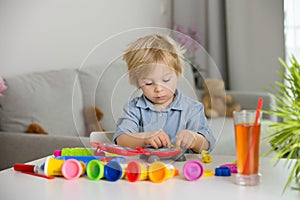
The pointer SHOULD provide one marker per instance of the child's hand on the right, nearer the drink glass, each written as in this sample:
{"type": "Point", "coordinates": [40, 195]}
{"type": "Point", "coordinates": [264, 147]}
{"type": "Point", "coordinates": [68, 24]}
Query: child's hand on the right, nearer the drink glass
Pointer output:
{"type": "Point", "coordinates": [186, 139]}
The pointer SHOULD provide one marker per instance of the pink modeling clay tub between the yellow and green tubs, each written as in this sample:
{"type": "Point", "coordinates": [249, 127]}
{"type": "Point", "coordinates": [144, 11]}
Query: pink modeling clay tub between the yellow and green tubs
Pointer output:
{"type": "Point", "coordinates": [73, 169]}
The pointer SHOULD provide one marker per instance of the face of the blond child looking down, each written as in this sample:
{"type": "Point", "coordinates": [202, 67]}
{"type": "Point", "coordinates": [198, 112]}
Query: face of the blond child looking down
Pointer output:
{"type": "Point", "coordinates": [159, 85]}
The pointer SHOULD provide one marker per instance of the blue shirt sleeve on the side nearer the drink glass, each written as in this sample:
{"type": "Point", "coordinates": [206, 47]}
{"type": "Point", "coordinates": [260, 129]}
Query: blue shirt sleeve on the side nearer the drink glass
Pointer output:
{"type": "Point", "coordinates": [197, 122]}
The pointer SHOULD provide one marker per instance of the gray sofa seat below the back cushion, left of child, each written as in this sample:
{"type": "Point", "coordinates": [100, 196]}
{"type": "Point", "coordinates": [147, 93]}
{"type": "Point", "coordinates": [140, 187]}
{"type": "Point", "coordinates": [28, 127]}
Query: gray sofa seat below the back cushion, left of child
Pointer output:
{"type": "Point", "coordinates": [21, 147]}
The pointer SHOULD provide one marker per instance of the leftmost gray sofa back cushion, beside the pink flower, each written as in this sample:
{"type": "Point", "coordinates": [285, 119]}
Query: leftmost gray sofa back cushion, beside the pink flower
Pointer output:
{"type": "Point", "coordinates": [52, 99]}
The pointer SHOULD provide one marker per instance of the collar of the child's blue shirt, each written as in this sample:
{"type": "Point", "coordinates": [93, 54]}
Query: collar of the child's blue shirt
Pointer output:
{"type": "Point", "coordinates": [144, 103]}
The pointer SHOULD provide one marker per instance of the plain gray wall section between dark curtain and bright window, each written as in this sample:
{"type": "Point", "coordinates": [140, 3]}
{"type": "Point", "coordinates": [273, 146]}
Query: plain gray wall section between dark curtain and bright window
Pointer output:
{"type": "Point", "coordinates": [255, 41]}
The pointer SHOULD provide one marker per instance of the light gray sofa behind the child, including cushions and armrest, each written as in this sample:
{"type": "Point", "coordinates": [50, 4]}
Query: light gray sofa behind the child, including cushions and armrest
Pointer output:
{"type": "Point", "coordinates": [55, 99]}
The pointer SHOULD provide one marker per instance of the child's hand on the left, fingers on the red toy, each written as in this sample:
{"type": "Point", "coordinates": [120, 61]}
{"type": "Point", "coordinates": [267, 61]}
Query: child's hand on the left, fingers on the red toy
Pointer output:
{"type": "Point", "coordinates": [158, 139]}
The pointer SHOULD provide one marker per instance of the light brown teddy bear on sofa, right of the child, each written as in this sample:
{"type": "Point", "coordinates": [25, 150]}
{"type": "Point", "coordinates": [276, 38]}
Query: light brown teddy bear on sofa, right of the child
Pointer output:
{"type": "Point", "coordinates": [215, 101]}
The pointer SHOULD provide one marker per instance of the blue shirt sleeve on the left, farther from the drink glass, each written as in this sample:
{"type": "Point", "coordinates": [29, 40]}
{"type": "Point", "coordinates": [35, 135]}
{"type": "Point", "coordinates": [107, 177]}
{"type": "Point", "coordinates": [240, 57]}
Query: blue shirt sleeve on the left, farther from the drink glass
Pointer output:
{"type": "Point", "coordinates": [129, 121]}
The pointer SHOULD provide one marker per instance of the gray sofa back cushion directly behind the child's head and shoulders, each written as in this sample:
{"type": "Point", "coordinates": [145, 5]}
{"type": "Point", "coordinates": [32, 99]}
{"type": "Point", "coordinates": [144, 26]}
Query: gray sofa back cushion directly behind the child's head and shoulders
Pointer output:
{"type": "Point", "coordinates": [108, 88]}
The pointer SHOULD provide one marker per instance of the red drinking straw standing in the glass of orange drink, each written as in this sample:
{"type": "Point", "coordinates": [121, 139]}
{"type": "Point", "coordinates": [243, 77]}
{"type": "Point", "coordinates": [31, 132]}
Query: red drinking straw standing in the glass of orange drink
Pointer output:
{"type": "Point", "coordinates": [255, 135]}
